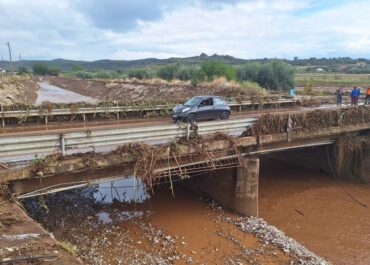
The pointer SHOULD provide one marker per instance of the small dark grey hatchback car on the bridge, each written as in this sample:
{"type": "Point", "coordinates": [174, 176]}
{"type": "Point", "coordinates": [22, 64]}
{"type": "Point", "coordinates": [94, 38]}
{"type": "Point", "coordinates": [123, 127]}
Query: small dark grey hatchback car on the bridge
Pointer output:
{"type": "Point", "coordinates": [202, 108]}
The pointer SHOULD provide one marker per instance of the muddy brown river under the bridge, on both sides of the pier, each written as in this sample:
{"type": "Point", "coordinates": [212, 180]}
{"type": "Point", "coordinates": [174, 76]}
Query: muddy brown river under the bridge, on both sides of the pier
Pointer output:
{"type": "Point", "coordinates": [124, 222]}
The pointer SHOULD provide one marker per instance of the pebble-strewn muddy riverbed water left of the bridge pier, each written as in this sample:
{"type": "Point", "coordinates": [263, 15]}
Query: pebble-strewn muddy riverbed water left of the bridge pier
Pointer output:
{"type": "Point", "coordinates": [184, 229]}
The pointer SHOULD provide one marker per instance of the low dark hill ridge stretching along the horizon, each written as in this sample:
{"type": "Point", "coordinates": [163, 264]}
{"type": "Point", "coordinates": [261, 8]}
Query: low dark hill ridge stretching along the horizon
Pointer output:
{"type": "Point", "coordinates": [340, 64]}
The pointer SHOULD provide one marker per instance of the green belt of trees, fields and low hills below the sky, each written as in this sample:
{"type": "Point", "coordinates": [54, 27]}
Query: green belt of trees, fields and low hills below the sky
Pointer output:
{"type": "Point", "coordinates": [269, 73]}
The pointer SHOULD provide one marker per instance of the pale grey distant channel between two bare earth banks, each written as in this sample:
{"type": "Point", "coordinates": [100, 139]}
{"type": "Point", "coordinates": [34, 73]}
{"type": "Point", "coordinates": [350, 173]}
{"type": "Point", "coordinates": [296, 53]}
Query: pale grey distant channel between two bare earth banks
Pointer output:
{"type": "Point", "coordinates": [56, 94]}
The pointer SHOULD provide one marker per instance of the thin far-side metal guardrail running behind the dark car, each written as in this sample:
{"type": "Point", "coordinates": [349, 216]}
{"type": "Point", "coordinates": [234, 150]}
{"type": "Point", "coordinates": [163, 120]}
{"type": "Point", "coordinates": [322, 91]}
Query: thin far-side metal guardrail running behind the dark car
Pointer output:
{"type": "Point", "coordinates": [117, 110]}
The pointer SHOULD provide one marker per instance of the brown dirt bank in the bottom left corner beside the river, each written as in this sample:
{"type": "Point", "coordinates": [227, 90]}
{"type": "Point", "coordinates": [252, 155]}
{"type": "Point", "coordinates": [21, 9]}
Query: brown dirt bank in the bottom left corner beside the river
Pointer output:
{"type": "Point", "coordinates": [23, 238]}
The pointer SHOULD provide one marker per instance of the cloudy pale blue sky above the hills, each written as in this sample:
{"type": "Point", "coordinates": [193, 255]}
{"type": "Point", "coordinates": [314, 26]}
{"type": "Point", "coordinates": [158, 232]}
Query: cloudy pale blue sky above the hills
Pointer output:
{"type": "Point", "coordinates": [138, 29]}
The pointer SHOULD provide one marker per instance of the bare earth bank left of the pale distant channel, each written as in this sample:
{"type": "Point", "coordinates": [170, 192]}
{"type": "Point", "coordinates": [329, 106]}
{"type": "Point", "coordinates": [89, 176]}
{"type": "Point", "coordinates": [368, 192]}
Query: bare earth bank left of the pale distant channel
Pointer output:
{"type": "Point", "coordinates": [18, 90]}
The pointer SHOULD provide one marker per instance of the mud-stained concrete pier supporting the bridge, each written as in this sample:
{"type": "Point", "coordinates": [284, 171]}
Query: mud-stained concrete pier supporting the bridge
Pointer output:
{"type": "Point", "coordinates": [235, 189]}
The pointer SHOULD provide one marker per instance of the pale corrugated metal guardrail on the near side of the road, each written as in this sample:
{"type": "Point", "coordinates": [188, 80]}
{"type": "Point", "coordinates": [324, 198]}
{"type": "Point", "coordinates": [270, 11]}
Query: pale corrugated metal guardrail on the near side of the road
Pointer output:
{"type": "Point", "coordinates": [68, 143]}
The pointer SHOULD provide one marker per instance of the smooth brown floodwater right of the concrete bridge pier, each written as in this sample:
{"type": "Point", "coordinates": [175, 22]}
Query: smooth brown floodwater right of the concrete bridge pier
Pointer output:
{"type": "Point", "coordinates": [313, 208]}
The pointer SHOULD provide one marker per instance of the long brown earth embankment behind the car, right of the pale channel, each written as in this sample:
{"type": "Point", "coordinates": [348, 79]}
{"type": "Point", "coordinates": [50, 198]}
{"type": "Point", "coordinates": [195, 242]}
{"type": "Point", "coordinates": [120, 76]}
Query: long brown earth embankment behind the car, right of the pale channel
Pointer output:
{"type": "Point", "coordinates": [150, 89]}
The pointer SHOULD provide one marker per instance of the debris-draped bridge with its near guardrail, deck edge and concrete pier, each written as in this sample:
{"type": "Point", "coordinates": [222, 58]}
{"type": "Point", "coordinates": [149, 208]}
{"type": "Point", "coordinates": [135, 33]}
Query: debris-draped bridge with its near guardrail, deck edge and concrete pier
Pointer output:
{"type": "Point", "coordinates": [220, 157]}
